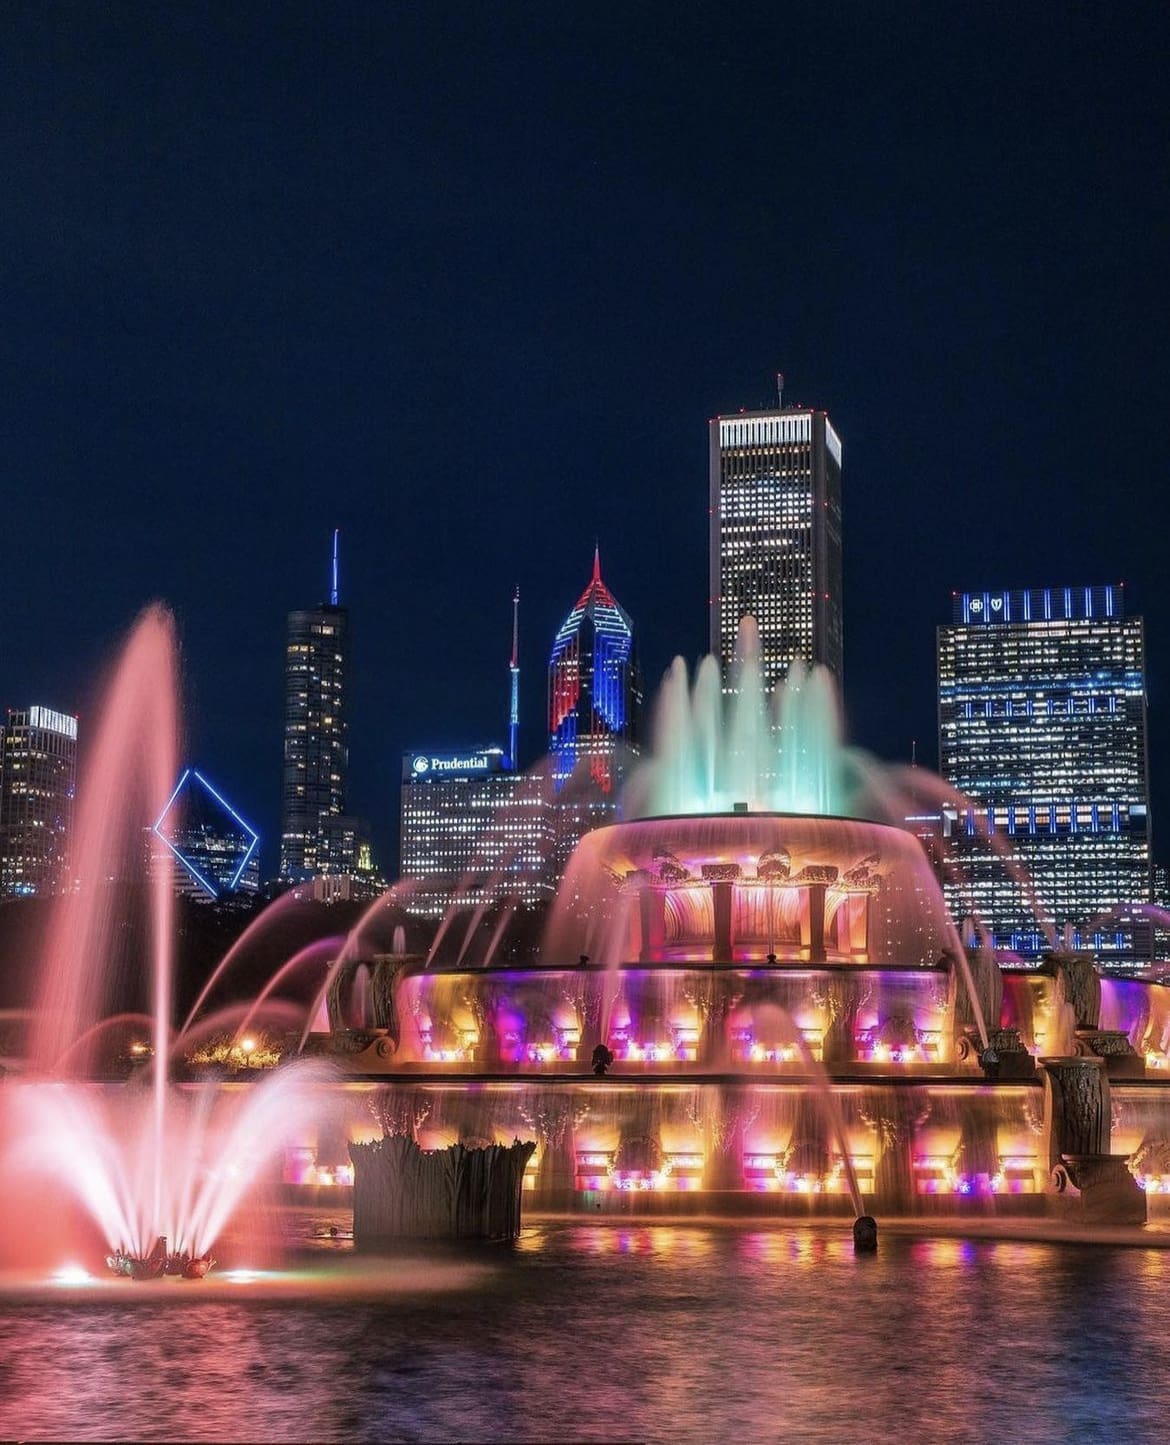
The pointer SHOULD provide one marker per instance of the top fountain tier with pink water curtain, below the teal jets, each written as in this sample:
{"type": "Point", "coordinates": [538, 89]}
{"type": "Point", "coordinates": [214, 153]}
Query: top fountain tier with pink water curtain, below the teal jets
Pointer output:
{"type": "Point", "coordinates": [752, 888]}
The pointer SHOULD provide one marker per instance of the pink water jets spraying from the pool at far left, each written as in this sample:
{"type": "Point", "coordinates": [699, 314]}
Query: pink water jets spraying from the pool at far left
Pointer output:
{"type": "Point", "coordinates": [158, 1170]}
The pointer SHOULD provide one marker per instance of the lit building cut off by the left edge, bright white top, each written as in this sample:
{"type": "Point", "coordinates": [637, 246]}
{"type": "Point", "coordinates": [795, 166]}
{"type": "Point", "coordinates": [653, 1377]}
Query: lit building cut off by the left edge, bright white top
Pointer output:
{"type": "Point", "coordinates": [38, 780]}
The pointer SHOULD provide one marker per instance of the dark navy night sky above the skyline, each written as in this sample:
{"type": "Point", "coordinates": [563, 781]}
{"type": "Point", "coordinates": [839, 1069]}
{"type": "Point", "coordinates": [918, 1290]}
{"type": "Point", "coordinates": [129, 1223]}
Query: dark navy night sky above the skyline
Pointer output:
{"type": "Point", "coordinates": [467, 281]}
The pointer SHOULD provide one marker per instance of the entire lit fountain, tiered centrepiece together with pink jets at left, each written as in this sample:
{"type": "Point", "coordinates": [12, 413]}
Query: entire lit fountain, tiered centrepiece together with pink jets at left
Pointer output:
{"type": "Point", "coordinates": [750, 999]}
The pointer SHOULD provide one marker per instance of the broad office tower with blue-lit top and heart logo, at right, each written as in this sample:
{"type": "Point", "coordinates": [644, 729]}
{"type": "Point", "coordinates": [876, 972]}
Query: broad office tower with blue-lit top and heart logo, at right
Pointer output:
{"type": "Point", "coordinates": [1042, 725]}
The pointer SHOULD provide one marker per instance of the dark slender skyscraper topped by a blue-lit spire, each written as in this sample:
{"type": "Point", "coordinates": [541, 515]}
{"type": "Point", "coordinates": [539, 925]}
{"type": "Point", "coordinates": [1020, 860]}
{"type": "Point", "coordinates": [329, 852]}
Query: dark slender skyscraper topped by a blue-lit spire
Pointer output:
{"type": "Point", "coordinates": [317, 752]}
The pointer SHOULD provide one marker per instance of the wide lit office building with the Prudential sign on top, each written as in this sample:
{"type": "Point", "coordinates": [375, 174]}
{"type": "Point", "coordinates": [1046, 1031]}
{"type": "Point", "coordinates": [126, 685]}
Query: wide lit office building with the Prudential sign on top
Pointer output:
{"type": "Point", "coordinates": [473, 832]}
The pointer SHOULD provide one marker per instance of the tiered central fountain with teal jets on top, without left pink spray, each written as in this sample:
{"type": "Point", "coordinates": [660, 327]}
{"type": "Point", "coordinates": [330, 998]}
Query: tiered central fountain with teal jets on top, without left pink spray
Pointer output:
{"type": "Point", "coordinates": [752, 999]}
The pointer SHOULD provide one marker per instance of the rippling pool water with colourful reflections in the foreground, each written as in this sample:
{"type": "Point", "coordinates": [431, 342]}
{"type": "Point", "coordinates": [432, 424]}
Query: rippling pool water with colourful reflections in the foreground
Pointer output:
{"type": "Point", "coordinates": [603, 1332]}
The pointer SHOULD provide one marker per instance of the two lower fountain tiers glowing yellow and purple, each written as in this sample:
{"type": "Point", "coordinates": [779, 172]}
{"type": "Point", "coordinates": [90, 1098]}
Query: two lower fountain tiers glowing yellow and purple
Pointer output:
{"type": "Point", "coordinates": [752, 1089]}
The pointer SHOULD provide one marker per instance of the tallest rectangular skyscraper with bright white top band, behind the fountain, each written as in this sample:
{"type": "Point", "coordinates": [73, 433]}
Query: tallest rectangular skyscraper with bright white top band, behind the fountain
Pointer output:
{"type": "Point", "coordinates": [776, 538]}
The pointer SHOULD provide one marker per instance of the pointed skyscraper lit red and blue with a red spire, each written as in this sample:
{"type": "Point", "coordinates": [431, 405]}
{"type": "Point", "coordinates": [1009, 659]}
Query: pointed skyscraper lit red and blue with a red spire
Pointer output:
{"type": "Point", "coordinates": [594, 712]}
